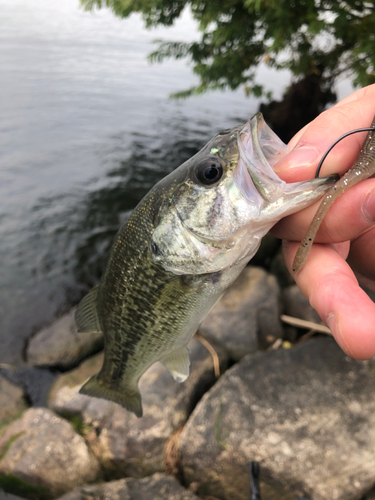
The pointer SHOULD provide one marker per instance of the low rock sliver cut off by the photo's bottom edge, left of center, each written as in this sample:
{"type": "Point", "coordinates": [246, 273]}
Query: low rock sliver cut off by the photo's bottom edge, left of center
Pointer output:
{"type": "Point", "coordinates": [158, 486]}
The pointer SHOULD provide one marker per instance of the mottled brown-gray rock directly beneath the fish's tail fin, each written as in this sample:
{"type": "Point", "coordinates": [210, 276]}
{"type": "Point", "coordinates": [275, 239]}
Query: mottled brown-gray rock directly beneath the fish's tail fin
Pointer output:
{"type": "Point", "coordinates": [124, 444]}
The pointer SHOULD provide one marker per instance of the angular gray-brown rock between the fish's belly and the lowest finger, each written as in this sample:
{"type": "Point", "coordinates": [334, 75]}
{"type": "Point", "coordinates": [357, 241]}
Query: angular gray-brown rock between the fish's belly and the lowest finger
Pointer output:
{"type": "Point", "coordinates": [247, 316]}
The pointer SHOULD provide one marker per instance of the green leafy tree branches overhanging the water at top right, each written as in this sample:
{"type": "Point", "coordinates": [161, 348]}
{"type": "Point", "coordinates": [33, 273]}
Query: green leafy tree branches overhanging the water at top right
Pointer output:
{"type": "Point", "coordinates": [323, 37]}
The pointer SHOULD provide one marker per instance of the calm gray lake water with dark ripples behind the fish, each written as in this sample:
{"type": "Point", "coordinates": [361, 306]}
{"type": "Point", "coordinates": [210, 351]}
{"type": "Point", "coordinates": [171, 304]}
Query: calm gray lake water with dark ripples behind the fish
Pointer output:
{"type": "Point", "coordinates": [86, 128]}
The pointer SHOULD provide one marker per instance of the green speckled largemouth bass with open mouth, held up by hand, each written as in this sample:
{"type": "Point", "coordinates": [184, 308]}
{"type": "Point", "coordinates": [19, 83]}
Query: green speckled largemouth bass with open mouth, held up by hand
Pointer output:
{"type": "Point", "coordinates": [183, 245]}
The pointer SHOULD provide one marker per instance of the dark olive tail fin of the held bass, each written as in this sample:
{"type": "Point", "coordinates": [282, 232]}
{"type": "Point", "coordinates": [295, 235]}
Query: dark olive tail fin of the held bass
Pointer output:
{"type": "Point", "coordinates": [129, 399]}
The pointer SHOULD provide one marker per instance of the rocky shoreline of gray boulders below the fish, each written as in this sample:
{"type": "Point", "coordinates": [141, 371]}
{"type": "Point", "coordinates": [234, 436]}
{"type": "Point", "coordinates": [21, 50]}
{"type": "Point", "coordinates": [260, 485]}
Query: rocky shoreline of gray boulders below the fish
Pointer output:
{"type": "Point", "coordinates": [302, 409]}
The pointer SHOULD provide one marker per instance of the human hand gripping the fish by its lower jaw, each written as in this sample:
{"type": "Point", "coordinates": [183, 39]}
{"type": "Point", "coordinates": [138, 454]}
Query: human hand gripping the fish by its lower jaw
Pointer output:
{"type": "Point", "coordinates": [344, 253]}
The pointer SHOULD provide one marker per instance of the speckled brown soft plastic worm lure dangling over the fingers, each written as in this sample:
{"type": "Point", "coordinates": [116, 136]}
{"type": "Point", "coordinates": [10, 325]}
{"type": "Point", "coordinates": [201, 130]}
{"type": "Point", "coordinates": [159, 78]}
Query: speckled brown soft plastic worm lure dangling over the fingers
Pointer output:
{"type": "Point", "coordinates": [362, 168]}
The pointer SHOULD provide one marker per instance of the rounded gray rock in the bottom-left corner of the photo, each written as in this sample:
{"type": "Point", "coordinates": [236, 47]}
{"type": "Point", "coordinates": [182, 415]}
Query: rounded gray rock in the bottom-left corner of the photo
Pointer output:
{"type": "Point", "coordinates": [41, 456]}
